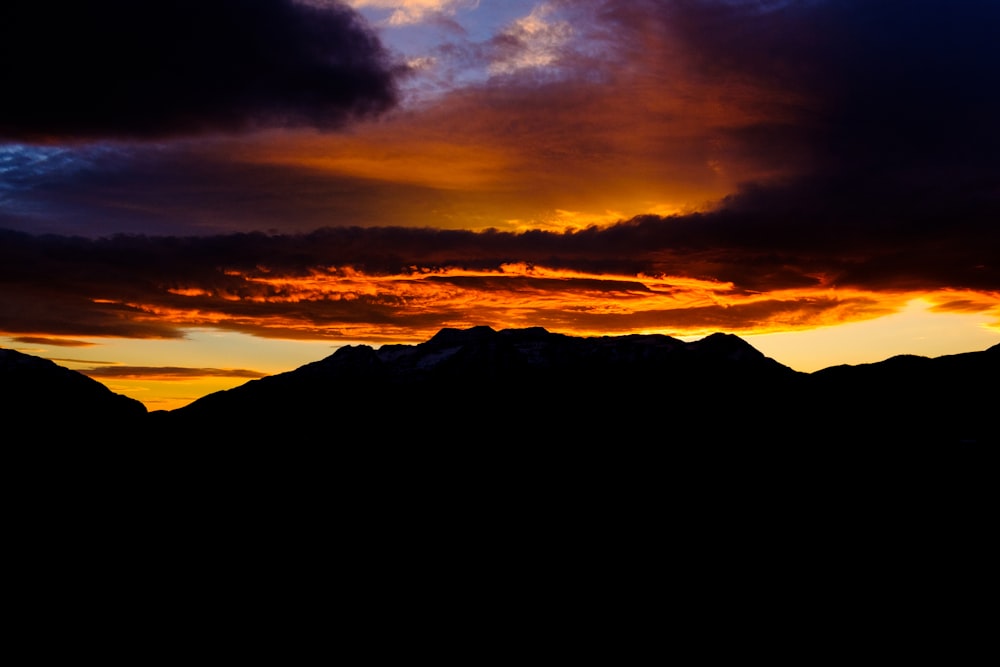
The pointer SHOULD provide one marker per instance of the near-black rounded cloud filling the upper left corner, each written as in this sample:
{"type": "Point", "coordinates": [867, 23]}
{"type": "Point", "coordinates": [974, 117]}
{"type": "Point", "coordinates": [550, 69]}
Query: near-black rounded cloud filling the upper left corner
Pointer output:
{"type": "Point", "coordinates": [121, 68]}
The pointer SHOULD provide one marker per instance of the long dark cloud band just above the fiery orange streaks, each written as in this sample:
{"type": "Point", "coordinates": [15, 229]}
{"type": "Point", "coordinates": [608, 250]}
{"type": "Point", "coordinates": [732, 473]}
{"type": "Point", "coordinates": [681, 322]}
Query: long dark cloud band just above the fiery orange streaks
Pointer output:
{"type": "Point", "coordinates": [754, 251]}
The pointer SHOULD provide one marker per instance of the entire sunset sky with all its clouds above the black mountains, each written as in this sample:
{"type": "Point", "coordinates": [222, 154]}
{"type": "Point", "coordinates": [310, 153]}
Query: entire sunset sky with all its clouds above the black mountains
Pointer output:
{"type": "Point", "coordinates": [198, 193]}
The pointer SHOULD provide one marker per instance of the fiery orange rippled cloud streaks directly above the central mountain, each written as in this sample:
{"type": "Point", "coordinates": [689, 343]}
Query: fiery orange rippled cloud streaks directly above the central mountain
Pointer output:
{"type": "Point", "coordinates": [344, 303]}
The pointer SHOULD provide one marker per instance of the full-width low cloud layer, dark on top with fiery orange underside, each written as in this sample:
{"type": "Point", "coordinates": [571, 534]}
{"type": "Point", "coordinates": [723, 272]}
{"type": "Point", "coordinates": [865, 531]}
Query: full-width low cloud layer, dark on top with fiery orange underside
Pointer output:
{"type": "Point", "coordinates": [686, 274]}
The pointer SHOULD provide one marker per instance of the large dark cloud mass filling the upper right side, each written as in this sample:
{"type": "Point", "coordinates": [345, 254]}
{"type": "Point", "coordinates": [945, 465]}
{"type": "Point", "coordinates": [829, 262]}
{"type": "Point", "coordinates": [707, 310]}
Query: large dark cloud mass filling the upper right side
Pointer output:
{"type": "Point", "coordinates": [878, 122]}
